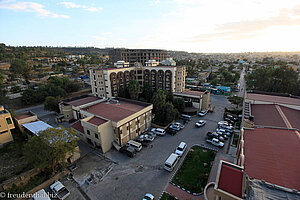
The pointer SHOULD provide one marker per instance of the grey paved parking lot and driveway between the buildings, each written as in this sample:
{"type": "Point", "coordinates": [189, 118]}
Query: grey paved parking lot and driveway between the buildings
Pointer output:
{"type": "Point", "coordinates": [131, 178]}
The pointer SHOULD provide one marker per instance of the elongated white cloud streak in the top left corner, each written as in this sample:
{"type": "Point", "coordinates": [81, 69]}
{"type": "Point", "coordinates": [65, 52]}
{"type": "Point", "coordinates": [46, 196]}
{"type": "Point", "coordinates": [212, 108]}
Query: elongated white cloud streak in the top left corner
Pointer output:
{"type": "Point", "coordinates": [30, 7]}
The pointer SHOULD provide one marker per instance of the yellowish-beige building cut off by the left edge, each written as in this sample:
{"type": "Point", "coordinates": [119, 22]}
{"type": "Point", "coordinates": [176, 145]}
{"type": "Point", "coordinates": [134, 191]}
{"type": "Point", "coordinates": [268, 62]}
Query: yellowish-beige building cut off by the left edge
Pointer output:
{"type": "Point", "coordinates": [6, 124]}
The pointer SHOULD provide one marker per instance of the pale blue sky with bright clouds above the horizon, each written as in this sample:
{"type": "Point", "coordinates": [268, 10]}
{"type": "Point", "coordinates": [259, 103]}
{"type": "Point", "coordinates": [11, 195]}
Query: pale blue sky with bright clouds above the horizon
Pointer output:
{"type": "Point", "coordinates": [202, 26]}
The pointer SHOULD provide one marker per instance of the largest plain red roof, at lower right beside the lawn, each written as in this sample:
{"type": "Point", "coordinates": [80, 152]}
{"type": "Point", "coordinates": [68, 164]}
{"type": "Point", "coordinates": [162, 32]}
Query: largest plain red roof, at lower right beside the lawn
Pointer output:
{"type": "Point", "coordinates": [273, 155]}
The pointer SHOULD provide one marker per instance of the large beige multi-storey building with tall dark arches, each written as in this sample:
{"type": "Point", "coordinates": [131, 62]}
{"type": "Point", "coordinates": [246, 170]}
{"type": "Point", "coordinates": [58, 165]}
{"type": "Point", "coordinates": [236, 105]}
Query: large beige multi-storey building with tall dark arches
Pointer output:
{"type": "Point", "coordinates": [106, 82]}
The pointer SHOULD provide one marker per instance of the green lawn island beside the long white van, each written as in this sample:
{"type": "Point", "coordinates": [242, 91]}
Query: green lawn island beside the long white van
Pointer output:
{"type": "Point", "coordinates": [194, 172]}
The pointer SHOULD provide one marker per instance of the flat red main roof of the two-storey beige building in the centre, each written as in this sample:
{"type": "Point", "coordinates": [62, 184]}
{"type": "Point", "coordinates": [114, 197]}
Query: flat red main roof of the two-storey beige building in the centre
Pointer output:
{"type": "Point", "coordinates": [116, 111]}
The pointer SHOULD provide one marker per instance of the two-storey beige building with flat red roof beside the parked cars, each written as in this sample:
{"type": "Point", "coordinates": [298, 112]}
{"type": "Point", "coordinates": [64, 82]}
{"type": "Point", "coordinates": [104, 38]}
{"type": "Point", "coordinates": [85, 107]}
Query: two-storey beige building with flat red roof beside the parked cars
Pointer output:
{"type": "Point", "coordinates": [113, 121]}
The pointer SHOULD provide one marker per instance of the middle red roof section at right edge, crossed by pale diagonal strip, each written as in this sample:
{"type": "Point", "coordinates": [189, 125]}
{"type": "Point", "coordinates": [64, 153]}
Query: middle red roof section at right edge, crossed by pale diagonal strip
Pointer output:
{"type": "Point", "coordinates": [275, 115]}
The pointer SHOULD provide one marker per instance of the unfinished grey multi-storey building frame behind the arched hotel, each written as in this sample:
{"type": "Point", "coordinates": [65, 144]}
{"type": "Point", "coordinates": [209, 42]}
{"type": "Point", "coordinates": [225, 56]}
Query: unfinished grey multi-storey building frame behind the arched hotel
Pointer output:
{"type": "Point", "coordinates": [136, 55]}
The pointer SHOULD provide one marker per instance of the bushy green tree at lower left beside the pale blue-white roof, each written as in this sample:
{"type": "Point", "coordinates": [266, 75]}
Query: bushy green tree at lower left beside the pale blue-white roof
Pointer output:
{"type": "Point", "coordinates": [50, 147]}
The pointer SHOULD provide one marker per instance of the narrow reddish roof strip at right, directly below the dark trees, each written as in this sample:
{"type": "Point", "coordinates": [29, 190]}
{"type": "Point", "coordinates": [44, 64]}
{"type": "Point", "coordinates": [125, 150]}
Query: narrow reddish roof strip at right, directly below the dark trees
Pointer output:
{"type": "Point", "coordinates": [273, 99]}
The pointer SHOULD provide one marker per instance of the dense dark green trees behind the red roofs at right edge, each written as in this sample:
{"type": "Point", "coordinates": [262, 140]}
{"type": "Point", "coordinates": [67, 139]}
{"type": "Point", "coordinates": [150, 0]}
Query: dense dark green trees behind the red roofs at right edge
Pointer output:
{"type": "Point", "coordinates": [270, 79]}
